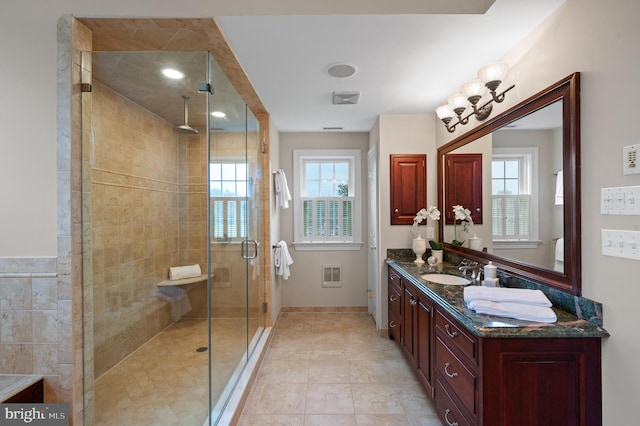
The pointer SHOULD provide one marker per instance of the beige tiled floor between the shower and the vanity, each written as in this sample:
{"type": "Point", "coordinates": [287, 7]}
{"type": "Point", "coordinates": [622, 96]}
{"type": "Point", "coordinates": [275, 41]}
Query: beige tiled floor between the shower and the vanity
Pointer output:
{"type": "Point", "coordinates": [333, 369]}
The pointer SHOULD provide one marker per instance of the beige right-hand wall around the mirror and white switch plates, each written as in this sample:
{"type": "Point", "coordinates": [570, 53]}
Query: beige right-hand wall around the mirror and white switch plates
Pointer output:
{"type": "Point", "coordinates": [599, 39]}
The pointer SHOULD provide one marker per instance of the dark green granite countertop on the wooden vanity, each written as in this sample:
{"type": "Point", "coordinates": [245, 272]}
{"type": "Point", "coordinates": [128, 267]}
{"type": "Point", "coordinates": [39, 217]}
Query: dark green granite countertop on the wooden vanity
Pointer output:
{"type": "Point", "coordinates": [451, 299]}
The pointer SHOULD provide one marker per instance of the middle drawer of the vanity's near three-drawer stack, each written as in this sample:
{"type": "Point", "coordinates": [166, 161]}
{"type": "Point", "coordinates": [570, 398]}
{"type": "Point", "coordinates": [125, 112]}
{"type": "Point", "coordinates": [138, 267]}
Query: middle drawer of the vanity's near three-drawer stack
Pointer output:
{"type": "Point", "coordinates": [462, 380]}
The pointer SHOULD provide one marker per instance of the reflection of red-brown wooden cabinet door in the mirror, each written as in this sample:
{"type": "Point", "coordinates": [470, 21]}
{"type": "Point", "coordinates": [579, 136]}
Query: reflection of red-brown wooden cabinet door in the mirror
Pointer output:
{"type": "Point", "coordinates": [463, 185]}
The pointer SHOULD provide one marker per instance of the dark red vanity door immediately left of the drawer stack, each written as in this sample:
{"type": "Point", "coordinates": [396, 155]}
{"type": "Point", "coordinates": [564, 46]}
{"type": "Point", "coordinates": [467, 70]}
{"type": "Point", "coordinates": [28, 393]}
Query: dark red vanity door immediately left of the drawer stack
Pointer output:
{"type": "Point", "coordinates": [424, 331]}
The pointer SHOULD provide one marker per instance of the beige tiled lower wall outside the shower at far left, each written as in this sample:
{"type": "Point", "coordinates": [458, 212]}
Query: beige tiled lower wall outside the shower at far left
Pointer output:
{"type": "Point", "coordinates": [34, 322]}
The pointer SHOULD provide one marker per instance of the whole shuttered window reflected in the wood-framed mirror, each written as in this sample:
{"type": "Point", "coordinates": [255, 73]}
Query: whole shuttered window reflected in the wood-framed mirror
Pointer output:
{"type": "Point", "coordinates": [514, 200]}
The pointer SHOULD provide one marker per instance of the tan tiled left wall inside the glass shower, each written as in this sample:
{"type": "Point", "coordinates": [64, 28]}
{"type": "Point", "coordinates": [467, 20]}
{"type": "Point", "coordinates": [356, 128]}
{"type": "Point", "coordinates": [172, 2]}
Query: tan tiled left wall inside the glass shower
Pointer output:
{"type": "Point", "coordinates": [135, 224]}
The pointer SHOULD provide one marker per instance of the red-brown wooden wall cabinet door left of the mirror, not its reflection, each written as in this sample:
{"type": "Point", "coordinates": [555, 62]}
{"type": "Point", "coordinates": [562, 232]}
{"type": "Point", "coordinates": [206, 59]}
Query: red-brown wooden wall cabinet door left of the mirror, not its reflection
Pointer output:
{"type": "Point", "coordinates": [408, 187]}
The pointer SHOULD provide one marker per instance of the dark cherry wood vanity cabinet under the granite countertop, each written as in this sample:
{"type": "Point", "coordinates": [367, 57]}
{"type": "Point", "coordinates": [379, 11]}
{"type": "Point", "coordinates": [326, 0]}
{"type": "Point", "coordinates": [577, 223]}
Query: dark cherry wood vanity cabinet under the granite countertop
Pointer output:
{"type": "Point", "coordinates": [479, 379]}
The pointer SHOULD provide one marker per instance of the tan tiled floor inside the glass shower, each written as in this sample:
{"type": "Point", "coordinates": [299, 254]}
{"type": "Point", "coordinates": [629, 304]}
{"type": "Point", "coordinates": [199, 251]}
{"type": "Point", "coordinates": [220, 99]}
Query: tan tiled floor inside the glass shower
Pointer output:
{"type": "Point", "coordinates": [165, 382]}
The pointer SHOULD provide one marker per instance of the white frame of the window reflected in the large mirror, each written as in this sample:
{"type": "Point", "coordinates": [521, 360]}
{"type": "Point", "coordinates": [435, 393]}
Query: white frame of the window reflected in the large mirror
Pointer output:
{"type": "Point", "coordinates": [528, 181]}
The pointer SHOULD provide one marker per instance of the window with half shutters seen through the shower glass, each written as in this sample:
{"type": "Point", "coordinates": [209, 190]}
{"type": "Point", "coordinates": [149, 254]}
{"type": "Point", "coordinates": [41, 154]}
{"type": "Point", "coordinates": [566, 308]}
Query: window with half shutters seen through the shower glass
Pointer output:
{"type": "Point", "coordinates": [228, 198]}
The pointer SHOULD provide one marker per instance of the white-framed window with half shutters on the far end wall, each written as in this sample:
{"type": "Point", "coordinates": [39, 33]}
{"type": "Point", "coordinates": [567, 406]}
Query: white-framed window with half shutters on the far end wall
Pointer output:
{"type": "Point", "coordinates": [327, 200]}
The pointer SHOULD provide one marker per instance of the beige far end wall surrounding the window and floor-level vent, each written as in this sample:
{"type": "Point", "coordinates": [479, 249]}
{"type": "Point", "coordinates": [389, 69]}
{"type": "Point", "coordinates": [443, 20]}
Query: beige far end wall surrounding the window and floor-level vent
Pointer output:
{"type": "Point", "coordinates": [304, 286]}
